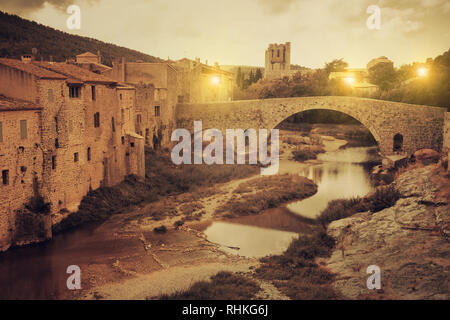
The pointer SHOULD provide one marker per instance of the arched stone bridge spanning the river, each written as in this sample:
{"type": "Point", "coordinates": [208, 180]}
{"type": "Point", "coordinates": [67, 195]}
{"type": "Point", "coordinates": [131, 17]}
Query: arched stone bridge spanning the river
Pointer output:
{"type": "Point", "coordinates": [420, 126]}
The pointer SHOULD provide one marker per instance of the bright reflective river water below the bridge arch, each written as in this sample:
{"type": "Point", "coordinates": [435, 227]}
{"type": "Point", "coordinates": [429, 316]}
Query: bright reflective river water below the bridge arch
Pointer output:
{"type": "Point", "coordinates": [340, 173]}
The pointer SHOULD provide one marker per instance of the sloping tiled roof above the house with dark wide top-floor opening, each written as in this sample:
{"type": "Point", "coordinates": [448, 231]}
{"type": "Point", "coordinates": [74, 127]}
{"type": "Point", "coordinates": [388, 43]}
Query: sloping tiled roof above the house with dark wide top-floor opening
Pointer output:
{"type": "Point", "coordinates": [73, 71]}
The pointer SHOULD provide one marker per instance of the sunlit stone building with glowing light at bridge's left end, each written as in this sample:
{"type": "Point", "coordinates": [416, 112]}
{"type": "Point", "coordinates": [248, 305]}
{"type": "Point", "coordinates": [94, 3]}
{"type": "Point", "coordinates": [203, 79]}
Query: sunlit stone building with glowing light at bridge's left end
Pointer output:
{"type": "Point", "coordinates": [198, 82]}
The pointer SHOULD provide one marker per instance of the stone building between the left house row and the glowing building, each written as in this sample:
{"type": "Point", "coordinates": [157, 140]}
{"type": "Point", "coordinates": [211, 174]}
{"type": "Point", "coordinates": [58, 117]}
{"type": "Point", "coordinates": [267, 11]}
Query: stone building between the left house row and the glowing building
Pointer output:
{"type": "Point", "coordinates": [156, 98]}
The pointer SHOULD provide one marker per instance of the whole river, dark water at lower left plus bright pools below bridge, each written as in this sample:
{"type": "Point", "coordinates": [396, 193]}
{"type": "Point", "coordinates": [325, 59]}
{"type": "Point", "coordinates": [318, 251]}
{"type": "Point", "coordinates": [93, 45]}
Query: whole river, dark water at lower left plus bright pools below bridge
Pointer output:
{"type": "Point", "coordinates": [38, 272]}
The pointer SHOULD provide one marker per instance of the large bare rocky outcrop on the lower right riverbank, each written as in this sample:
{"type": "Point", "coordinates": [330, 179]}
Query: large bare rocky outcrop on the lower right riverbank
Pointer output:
{"type": "Point", "coordinates": [408, 241]}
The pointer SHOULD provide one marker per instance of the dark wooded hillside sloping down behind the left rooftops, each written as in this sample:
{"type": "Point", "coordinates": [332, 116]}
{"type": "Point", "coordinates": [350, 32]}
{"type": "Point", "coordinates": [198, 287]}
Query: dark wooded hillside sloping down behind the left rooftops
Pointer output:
{"type": "Point", "coordinates": [19, 36]}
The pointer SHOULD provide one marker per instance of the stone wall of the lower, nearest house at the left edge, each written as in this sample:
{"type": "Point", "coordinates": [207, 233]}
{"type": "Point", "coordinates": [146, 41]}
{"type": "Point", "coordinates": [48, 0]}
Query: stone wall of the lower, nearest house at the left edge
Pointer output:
{"type": "Point", "coordinates": [22, 159]}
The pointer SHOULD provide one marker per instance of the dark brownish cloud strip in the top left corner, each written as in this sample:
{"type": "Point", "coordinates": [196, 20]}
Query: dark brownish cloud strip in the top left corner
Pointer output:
{"type": "Point", "coordinates": [21, 6]}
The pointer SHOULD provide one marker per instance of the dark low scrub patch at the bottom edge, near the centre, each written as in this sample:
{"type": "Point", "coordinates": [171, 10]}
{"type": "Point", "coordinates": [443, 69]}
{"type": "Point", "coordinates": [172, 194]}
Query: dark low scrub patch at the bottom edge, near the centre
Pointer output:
{"type": "Point", "coordinates": [223, 286]}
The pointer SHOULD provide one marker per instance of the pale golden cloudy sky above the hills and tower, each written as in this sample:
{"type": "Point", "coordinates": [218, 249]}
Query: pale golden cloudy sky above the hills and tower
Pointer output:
{"type": "Point", "coordinates": [237, 32]}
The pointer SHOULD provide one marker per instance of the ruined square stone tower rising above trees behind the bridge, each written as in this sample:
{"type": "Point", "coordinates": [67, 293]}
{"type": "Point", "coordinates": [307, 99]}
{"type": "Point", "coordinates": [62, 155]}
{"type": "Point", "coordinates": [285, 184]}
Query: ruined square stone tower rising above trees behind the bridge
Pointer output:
{"type": "Point", "coordinates": [278, 61]}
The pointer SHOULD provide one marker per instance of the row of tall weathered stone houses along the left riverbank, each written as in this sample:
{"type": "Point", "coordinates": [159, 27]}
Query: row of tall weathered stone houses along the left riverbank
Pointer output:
{"type": "Point", "coordinates": [62, 126]}
